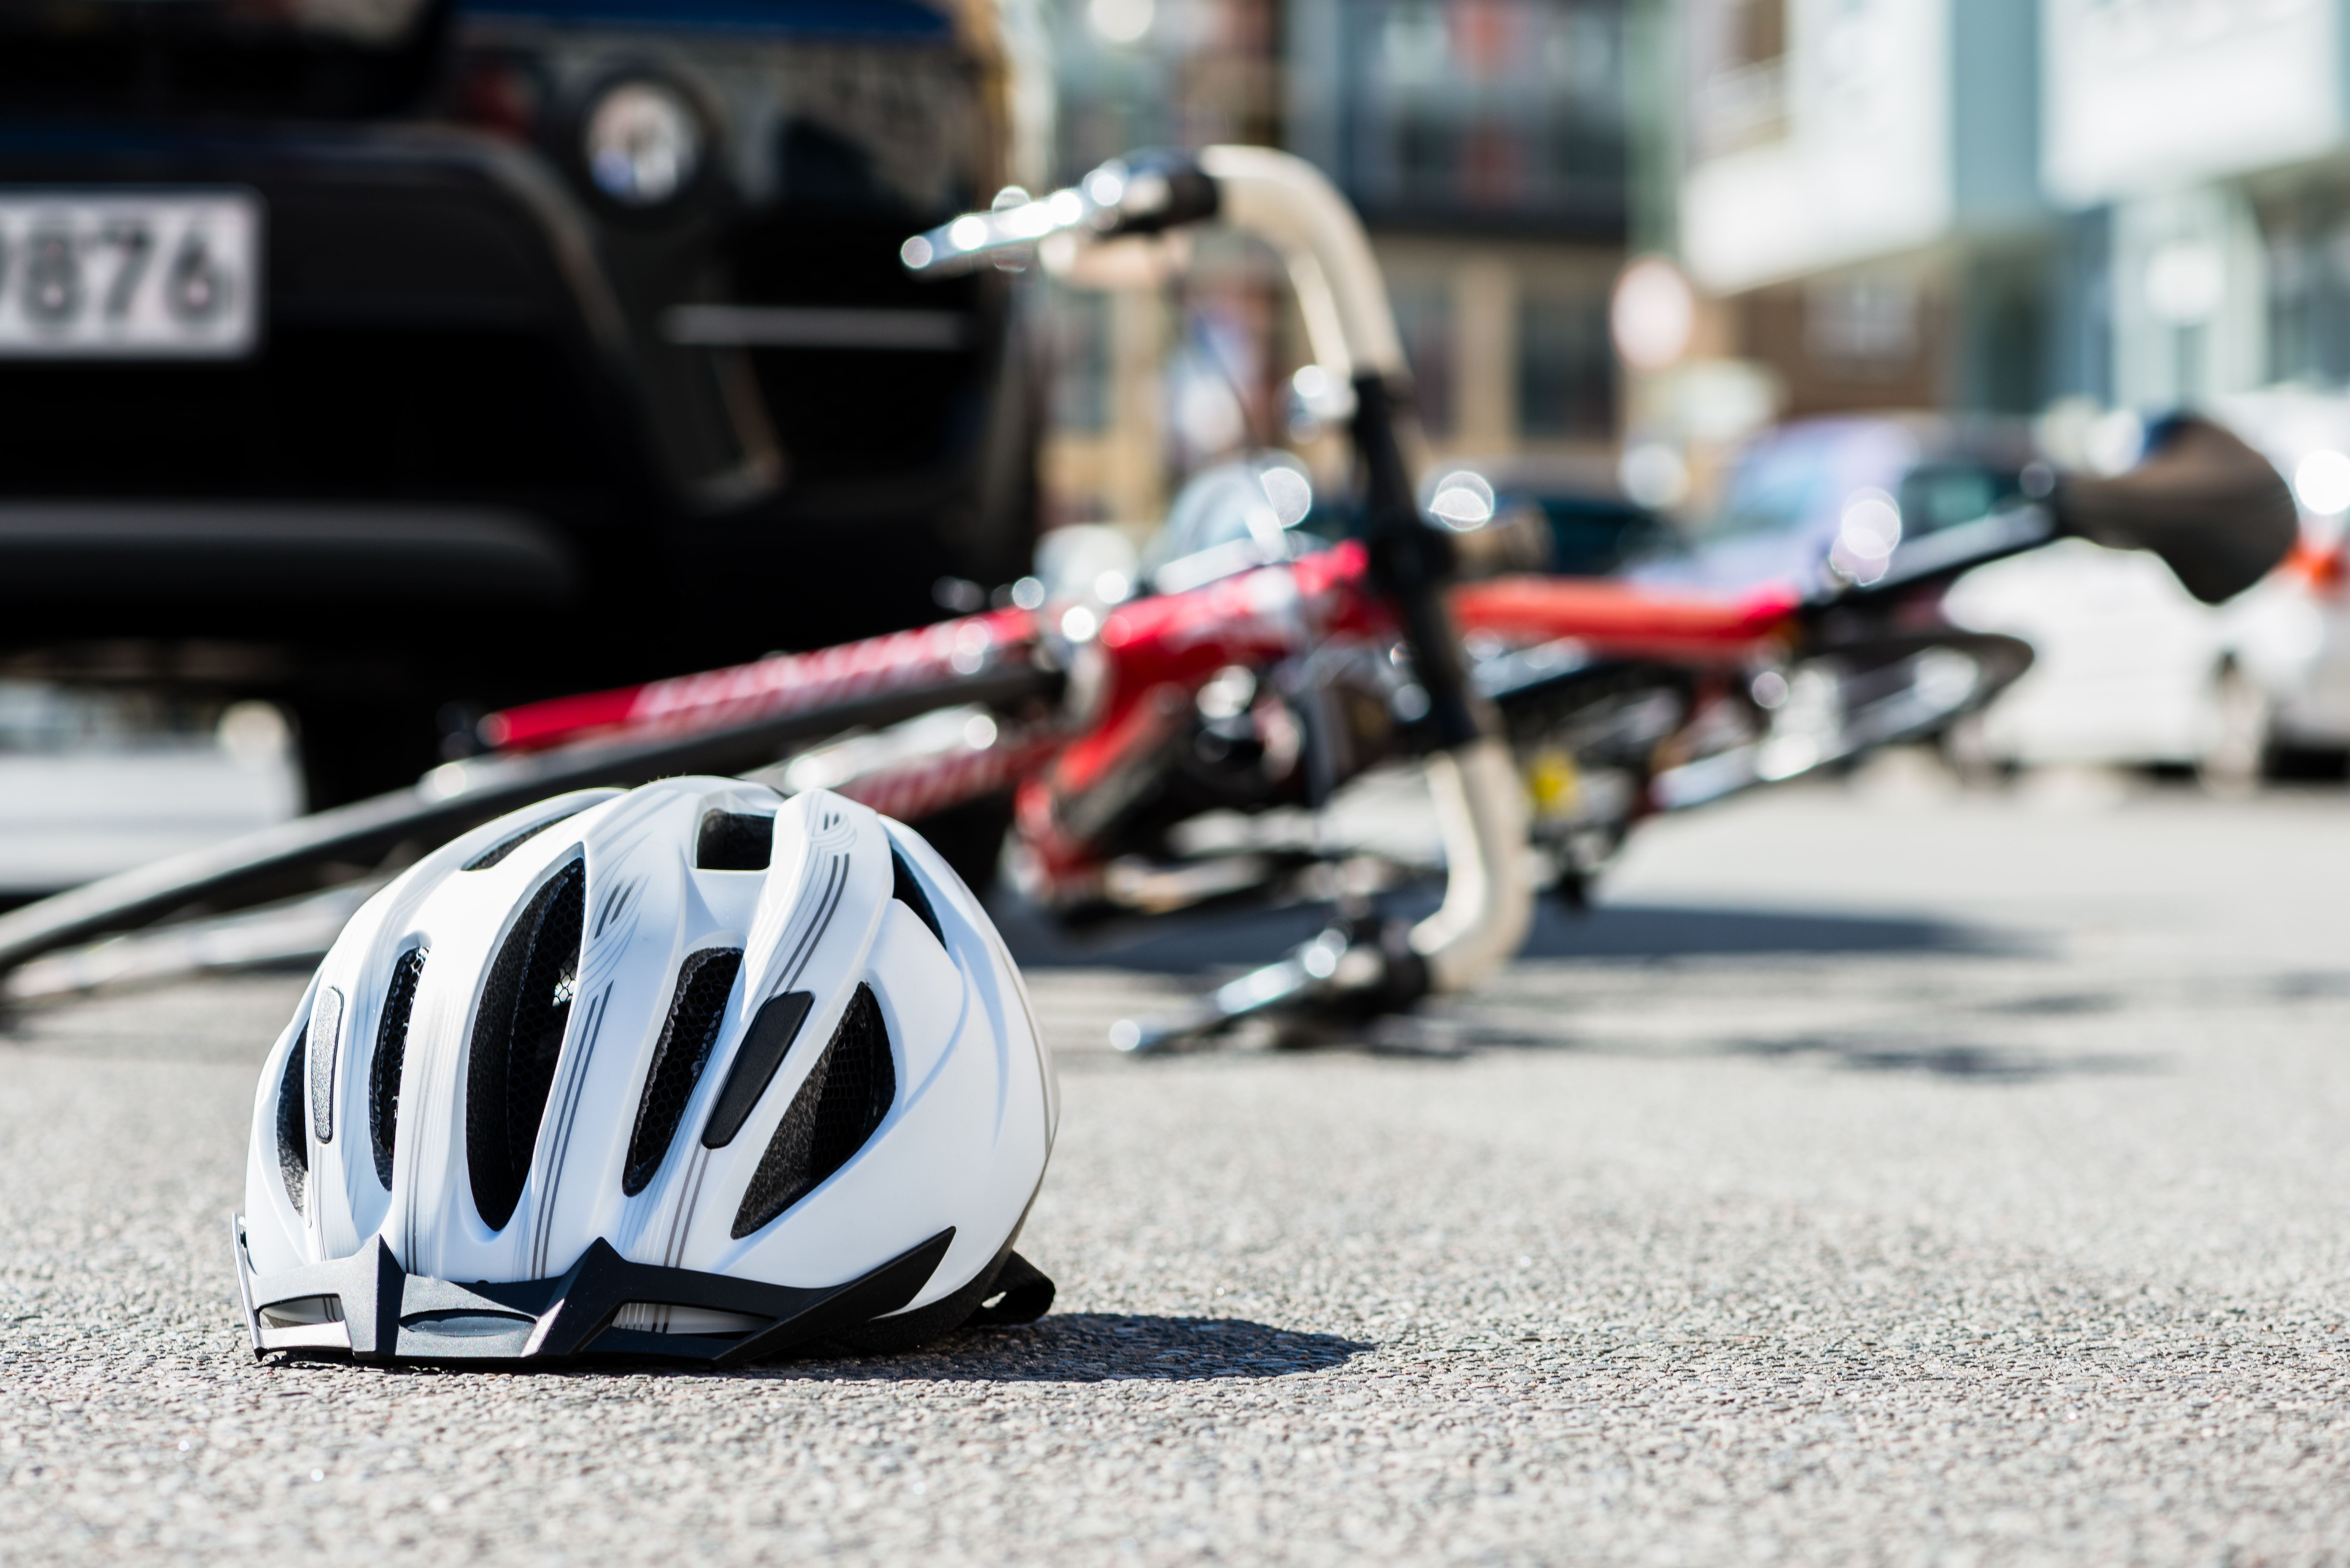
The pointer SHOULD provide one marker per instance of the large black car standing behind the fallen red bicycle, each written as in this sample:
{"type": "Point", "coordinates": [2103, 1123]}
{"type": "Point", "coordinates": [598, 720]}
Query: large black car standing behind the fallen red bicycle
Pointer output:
{"type": "Point", "coordinates": [391, 356]}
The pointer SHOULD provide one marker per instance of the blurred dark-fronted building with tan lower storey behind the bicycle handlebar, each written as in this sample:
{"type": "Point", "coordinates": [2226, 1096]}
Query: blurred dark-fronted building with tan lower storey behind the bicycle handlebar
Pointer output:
{"type": "Point", "coordinates": [1484, 145]}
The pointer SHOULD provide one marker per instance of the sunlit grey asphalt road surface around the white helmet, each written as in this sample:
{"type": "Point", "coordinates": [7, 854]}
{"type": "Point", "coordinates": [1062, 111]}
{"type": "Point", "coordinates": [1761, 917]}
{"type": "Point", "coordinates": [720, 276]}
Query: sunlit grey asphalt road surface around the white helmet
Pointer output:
{"type": "Point", "coordinates": [1881, 1179]}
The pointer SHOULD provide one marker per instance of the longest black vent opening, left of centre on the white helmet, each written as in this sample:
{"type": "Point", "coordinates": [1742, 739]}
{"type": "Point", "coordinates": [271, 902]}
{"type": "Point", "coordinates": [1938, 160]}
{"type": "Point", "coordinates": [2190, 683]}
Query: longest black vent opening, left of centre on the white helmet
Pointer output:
{"type": "Point", "coordinates": [518, 1040]}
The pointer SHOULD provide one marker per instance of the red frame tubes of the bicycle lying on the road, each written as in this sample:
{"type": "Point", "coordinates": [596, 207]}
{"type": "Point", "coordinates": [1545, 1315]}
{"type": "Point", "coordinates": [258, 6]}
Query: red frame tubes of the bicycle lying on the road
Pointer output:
{"type": "Point", "coordinates": [1136, 678]}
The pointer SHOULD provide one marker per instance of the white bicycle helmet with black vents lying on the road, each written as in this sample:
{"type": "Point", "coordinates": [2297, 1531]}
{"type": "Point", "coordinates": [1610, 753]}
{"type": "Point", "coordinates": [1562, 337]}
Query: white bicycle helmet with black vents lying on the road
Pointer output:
{"type": "Point", "coordinates": [685, 1071]}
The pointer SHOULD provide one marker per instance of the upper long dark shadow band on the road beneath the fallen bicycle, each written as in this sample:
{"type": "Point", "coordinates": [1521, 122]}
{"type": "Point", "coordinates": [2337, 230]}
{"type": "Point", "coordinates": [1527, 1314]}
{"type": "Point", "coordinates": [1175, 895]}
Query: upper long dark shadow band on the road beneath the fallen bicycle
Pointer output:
{"type": "Point", "coordinates": [1211, 942]}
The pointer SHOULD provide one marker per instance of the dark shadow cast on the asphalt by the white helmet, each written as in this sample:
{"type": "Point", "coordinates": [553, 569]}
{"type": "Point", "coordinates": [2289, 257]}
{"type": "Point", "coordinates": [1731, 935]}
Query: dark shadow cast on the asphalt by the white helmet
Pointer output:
{"type": "Point", "coordinates": [1094, 1348]}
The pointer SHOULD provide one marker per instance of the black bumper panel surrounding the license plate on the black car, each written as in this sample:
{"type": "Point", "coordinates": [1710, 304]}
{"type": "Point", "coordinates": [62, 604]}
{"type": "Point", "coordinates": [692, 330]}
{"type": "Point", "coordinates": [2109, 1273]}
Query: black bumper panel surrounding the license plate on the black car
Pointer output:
{"type": "Point", "coordinates": [438, 326]}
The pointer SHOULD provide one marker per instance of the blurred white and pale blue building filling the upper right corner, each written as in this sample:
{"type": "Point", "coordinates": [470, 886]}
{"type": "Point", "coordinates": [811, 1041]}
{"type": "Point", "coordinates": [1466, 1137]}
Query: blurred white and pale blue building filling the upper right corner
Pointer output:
{"type": "Point", "coordinates": [1992, 206]}
